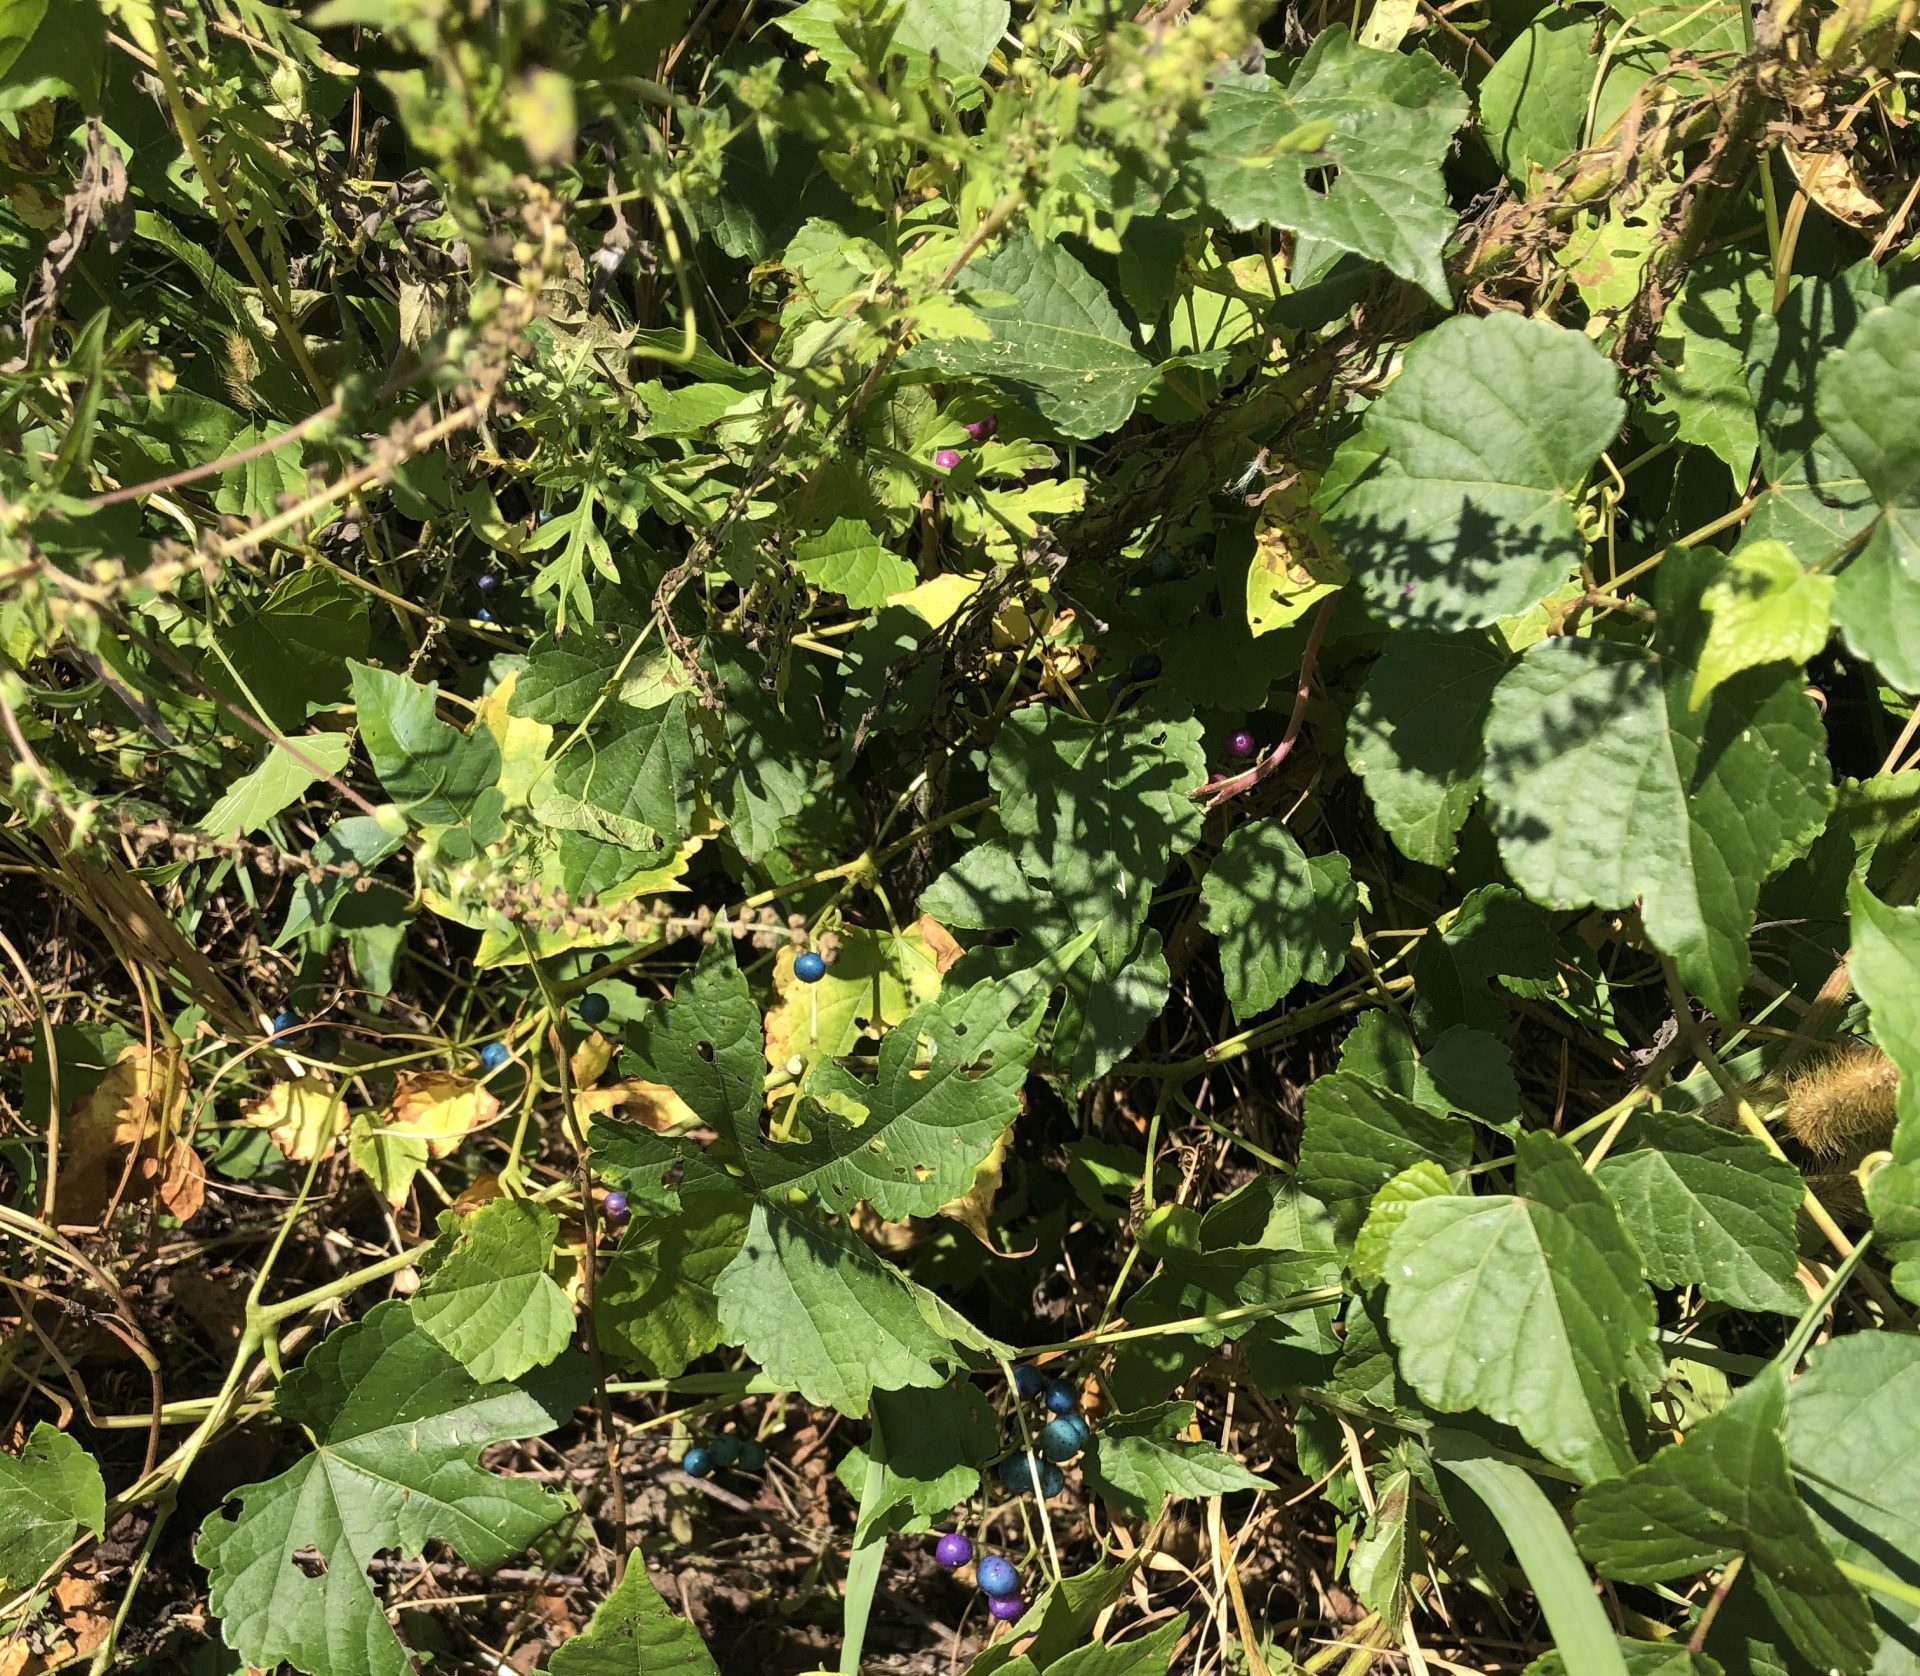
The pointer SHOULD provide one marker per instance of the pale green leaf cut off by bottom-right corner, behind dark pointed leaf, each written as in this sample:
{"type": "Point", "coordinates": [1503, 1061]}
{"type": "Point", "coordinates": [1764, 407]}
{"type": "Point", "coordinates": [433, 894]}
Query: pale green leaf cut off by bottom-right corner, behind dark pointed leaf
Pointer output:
{"type": "Point", "coordinates": [1856, 1450]}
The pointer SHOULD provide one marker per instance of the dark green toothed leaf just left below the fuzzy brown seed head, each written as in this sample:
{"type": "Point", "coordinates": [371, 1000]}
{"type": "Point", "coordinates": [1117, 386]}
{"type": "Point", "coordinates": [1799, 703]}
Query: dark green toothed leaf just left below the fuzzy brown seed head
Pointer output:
{"type": "Point", "coordinates": [1710, 1209]}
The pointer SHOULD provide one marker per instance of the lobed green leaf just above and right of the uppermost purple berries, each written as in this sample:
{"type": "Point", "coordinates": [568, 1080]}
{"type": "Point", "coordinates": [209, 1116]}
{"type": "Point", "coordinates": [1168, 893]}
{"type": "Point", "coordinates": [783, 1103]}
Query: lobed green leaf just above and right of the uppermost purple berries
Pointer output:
{"type": "Point", "coordinates": [1059, 341]}
